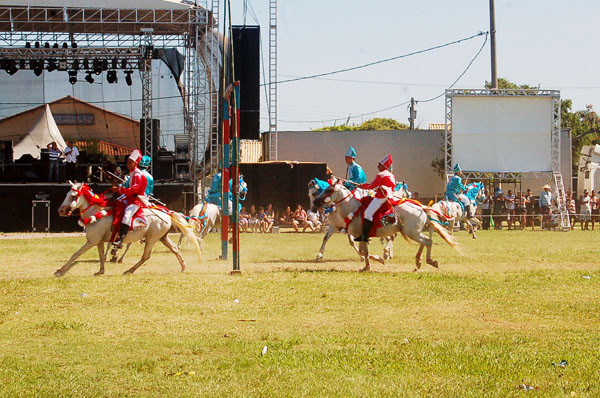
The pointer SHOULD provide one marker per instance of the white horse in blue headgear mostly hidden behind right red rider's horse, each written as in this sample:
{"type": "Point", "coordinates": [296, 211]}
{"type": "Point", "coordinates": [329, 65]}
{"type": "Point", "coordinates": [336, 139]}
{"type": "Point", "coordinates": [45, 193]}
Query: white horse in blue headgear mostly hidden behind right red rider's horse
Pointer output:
{"type": "Point", "coordinates": [315, 186]}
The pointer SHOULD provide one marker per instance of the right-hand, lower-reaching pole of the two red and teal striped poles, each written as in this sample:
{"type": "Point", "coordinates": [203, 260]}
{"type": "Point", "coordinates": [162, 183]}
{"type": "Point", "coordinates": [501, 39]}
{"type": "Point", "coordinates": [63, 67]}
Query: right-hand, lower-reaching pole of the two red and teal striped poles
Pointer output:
{"type": "Point", "coordinates": [235, 175]}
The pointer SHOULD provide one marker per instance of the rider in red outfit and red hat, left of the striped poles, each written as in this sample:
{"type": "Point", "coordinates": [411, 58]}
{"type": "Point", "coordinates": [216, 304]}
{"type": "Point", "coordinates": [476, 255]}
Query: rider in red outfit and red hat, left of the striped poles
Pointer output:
{"type": "Point", "coordinates": [134, 194]}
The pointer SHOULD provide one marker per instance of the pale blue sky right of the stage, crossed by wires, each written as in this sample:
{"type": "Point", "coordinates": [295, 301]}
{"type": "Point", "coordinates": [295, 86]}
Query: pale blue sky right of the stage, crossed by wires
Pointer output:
{"type": "Point", "coordinates": [545, 42]}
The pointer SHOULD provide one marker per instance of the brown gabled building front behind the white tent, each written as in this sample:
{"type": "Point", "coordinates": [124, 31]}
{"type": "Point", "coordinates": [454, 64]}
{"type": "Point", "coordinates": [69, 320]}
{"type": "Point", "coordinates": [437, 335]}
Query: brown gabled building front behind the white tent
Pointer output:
{"type": "Point", "coordinates": [107, 126]}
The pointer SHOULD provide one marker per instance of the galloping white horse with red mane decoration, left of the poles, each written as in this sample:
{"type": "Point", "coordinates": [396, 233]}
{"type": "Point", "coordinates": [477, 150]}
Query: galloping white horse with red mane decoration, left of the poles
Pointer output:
{"type": "Point", "coordinates": [96, 214]}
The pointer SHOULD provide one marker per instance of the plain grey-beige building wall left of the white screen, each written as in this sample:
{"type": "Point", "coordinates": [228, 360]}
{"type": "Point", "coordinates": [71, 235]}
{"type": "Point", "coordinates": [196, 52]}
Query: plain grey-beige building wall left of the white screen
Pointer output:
{"type": "Point", "coordinates": [412, 152]}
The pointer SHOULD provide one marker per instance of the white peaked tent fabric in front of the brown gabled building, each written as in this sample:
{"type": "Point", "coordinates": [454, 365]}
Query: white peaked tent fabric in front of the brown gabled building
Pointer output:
{"type": "Point", "coordinates": [43, 133]}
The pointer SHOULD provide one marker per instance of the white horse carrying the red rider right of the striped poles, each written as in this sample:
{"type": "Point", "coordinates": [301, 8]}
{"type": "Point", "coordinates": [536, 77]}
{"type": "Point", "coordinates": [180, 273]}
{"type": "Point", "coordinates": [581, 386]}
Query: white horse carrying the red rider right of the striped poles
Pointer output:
{"type": "Point", "coordinates": [411, 219]}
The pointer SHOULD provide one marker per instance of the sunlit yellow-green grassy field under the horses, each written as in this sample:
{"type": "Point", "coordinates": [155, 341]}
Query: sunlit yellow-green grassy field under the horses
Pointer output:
{"type": "Point", "coordinates": [488, 323]}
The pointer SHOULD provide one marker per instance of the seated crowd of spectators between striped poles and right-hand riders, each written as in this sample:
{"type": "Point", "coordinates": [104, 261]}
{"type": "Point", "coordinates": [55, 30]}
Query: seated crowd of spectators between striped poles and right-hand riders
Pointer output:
{"type": "Point", "coordinates": [265, 218]}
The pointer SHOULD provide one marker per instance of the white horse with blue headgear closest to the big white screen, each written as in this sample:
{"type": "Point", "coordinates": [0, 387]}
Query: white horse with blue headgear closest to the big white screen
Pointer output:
{"type": "Point", "coordinates": [446, 212]}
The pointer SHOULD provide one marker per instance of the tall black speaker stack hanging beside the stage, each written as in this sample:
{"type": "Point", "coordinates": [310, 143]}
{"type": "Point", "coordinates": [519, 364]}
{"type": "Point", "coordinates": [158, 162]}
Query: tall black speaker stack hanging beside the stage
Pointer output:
{"type": "Point", "coordinates": [246, 52]}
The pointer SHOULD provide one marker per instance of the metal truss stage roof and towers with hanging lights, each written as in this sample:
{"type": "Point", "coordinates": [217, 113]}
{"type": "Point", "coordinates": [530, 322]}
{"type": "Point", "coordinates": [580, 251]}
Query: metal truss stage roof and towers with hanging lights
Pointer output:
{"type": "Point", "coordinates": [74, 38]}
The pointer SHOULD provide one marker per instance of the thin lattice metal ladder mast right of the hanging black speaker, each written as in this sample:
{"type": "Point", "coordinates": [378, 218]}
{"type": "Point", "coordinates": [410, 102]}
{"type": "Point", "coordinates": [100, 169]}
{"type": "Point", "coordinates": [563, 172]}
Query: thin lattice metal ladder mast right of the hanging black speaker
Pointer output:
{"type": "Point", "coordinates": [272, 155]}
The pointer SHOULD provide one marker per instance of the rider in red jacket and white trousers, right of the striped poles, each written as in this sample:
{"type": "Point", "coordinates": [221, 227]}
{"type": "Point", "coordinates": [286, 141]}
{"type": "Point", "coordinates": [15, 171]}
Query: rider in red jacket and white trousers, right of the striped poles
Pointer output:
{"type": "Point", "coordinates": [383, 184]}
